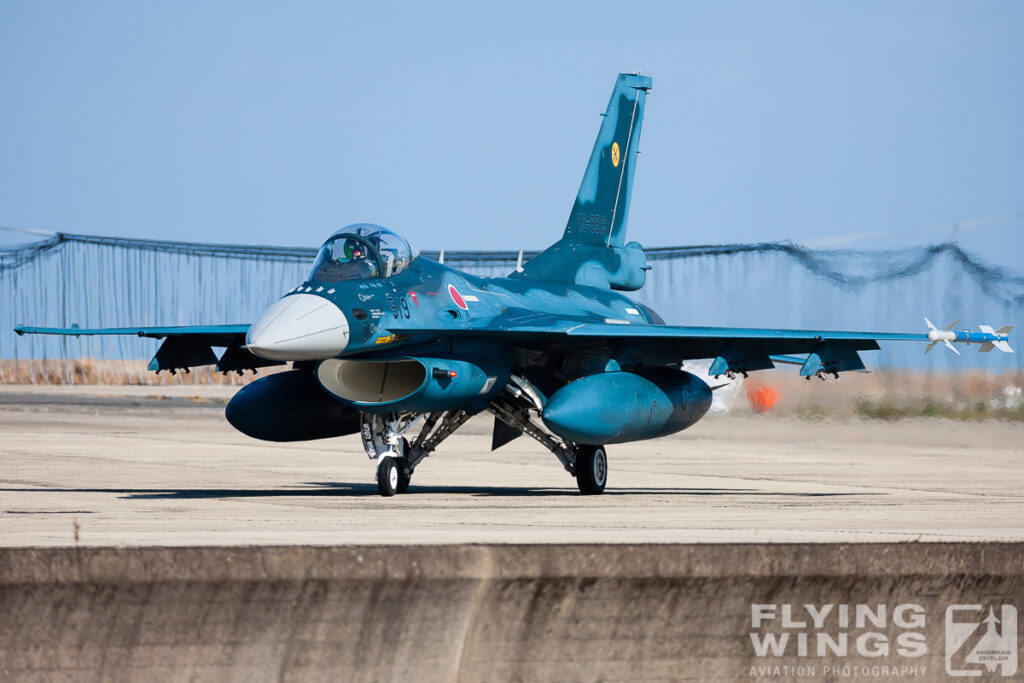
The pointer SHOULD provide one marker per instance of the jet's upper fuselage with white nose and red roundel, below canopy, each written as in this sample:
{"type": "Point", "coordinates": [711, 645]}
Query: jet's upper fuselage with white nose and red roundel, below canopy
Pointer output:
{"type": "Point", "coordinates": [382, 315]}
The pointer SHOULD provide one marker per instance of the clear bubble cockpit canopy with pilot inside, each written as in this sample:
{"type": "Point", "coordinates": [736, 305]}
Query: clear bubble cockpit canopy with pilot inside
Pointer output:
{"type": "Point", "coordinates": [362, 251]}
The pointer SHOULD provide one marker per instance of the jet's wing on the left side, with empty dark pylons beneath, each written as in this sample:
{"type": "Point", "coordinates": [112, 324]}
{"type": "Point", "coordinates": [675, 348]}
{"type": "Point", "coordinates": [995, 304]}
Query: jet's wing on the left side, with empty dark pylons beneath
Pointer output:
{"type": "Point", "coordinates": [184, 348]}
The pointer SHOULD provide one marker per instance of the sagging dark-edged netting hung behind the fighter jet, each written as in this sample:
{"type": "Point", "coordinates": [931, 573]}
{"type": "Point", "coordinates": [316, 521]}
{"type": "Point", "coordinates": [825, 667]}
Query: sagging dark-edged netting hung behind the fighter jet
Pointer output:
{"type": "Point", "coordinates": [112, 282]}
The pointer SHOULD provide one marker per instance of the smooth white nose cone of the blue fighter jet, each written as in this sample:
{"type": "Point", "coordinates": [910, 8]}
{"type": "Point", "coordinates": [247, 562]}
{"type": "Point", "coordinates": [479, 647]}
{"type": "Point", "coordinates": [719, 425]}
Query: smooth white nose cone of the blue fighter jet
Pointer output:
{"type": "Point", "coordinates": [301, 327]}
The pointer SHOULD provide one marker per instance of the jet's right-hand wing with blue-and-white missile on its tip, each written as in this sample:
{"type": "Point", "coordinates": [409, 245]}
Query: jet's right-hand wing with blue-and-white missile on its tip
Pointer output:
{"type": "Point", "coordinates": [733, 350]}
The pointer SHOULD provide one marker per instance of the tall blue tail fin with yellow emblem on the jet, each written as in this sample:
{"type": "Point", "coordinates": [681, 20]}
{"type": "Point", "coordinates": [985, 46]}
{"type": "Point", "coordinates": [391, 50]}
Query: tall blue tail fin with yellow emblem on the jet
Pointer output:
{"type": "Point", "coordinates": [604, 201]}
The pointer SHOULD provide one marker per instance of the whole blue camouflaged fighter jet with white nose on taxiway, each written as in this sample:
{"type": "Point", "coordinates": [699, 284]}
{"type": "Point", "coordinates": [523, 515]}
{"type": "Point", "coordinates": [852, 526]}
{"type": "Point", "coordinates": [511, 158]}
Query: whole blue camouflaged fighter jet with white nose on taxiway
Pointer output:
{"type": "Point", "coordinates": [404, 351]}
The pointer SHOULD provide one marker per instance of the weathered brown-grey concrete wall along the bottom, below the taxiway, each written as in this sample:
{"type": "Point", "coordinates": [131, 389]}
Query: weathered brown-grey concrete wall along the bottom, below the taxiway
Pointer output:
{"type": "Point", "coordinates": [470, 613]}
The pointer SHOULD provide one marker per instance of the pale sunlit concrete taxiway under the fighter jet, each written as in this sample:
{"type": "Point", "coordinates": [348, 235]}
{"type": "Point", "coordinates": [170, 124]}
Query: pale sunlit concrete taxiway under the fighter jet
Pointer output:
{"type": "Point", "coordinates": [159, 466]}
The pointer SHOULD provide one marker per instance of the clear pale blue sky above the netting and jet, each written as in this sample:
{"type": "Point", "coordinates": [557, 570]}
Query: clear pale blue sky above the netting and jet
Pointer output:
{"type": "Point", "coordinates": [467, 126]}
